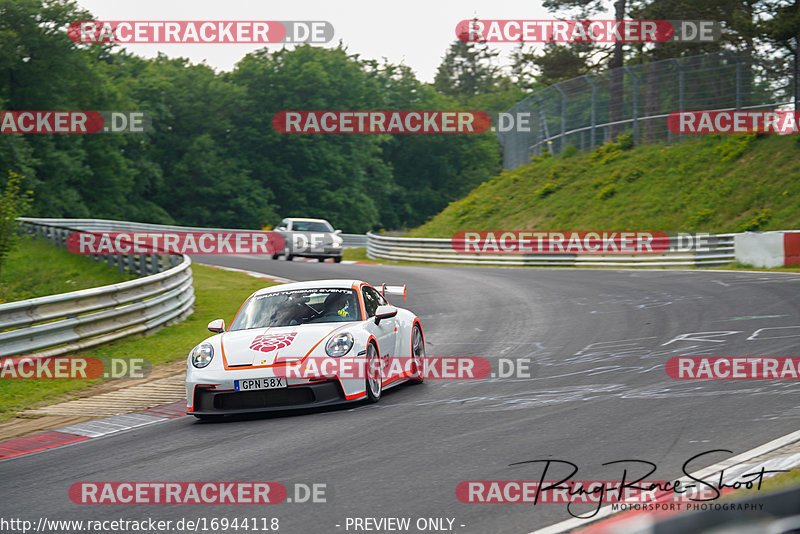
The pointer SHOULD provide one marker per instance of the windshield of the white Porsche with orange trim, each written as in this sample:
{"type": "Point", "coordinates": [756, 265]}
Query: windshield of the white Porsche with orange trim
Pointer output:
{"type": "Point", "coordinates": [298, 306]}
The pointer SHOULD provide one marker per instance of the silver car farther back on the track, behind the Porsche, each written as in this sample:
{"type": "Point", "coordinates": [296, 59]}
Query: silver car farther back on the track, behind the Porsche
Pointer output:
{"type": "Point", "coordinates": [309, 238]}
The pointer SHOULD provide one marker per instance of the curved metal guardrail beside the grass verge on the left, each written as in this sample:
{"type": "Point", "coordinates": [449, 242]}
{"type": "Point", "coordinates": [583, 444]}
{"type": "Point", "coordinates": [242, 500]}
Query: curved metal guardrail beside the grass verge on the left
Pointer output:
{"type": "Point", "coordinates": [59, 324]}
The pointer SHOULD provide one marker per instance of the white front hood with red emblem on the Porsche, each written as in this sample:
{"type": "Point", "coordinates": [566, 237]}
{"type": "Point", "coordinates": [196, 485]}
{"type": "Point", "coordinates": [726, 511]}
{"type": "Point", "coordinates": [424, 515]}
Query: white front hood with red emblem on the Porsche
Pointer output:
{"type": "Point", "coordinates": [265, 346]}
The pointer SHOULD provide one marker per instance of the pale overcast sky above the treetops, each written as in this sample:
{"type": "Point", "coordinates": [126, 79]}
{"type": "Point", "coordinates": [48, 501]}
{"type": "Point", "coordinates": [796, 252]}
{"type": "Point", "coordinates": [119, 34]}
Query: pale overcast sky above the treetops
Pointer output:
{"type": "Point", "coordinates": [416, 33]}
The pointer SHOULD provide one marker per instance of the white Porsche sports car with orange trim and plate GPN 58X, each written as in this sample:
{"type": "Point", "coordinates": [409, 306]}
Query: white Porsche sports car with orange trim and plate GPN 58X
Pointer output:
{"type": "Point", "coordinates": [302, 345]}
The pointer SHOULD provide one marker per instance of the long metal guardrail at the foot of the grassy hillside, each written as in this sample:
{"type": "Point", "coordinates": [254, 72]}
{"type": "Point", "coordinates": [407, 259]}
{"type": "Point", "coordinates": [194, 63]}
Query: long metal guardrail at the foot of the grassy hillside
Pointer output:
{"type": "Point", "coordinates": [440, 250]}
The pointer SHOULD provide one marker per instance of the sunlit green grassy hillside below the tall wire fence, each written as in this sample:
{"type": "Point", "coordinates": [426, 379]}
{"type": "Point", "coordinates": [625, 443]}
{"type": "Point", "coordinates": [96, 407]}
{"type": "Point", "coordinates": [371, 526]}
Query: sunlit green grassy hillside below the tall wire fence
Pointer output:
{"type": "Point", "coordinates": [719, 183]}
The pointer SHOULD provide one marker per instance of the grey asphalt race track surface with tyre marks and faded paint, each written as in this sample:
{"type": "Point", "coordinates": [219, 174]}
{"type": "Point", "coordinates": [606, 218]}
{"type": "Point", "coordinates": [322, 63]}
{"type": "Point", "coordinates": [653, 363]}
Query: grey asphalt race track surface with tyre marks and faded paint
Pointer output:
{"type": "Point", "coordinates": [598, 392]}
